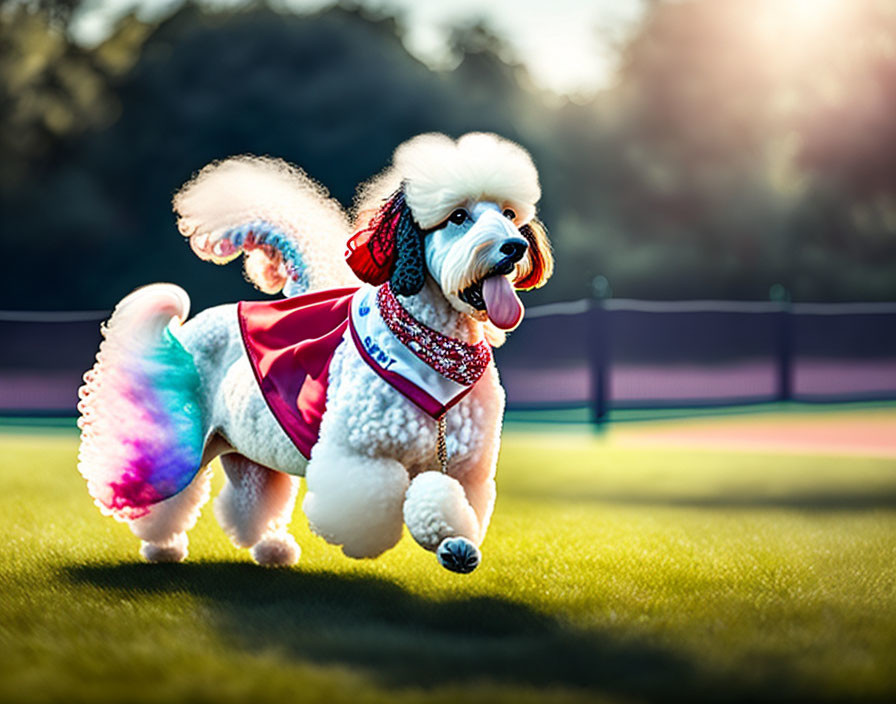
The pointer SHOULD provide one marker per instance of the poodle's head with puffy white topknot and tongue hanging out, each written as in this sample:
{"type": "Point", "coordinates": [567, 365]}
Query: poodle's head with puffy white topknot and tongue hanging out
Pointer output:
{"type": "Point", "coordinates": [462, 212]}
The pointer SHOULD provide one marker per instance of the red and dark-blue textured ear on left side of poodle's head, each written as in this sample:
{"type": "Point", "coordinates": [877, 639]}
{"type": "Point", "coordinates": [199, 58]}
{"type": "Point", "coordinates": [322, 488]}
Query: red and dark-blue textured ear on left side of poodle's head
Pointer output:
{"type": "Point", "coordinates": [378, 251]}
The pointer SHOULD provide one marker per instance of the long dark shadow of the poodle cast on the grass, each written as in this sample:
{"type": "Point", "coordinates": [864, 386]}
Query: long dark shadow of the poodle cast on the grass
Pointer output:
{"type": "Point", "coordinates": [406, 640]}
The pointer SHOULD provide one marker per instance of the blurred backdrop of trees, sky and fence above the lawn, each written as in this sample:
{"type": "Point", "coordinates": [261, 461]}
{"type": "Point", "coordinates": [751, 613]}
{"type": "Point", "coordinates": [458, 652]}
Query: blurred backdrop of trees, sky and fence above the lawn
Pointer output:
{"type": "Point", "coordinates": [735, 150]}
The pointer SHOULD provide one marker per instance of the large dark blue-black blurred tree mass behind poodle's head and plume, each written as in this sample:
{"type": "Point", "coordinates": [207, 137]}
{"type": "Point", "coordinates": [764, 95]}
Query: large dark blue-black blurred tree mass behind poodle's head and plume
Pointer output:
{"type": "Point", "coordinates": [334, 92]}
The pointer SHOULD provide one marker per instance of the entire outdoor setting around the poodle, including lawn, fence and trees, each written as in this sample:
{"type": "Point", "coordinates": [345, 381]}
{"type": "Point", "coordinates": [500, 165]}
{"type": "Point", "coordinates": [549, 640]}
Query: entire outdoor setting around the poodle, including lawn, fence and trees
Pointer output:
{"type": "Point", "coordinates": [719, 183]}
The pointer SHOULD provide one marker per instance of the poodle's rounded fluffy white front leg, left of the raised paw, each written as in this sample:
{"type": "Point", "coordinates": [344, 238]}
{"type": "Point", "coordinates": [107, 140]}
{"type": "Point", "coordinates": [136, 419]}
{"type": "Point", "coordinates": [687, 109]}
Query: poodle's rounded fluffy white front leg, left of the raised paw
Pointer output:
{"type": "Point", "coordinates": [354, 500]}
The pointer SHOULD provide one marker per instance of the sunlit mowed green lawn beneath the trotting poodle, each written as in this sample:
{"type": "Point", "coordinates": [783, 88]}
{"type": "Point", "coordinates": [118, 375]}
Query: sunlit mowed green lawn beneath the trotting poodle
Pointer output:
{"type": "Point", "coordinates": [613, 571]}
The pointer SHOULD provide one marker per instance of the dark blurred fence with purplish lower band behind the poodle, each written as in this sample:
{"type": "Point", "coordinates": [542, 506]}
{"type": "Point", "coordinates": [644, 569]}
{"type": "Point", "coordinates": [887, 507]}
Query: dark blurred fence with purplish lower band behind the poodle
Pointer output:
{"type": "Point", "coordinates": [597, 354]}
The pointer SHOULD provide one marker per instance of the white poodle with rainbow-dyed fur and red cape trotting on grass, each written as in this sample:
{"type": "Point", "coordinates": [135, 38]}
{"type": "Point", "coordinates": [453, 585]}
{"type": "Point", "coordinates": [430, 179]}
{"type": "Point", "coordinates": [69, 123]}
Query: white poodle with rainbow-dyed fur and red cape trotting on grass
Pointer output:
{"type": "Point", "coordinates": [372, 378]}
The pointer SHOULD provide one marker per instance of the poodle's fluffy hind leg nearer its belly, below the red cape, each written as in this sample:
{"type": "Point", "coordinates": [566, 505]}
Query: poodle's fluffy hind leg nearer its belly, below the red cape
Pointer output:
{"type": "Point", "coordinates": [255, 508]}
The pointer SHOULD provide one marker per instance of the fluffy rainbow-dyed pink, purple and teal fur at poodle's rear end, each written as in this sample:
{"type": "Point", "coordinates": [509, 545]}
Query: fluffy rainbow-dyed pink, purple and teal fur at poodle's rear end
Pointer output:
{"type": "Point", "coordinates": [141, 426]}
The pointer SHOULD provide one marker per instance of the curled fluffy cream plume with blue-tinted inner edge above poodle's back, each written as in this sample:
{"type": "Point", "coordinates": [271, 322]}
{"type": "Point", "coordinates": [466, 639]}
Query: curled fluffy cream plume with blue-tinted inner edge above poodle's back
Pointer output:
{"type": "Point", "coordinates": [290, 230]}
